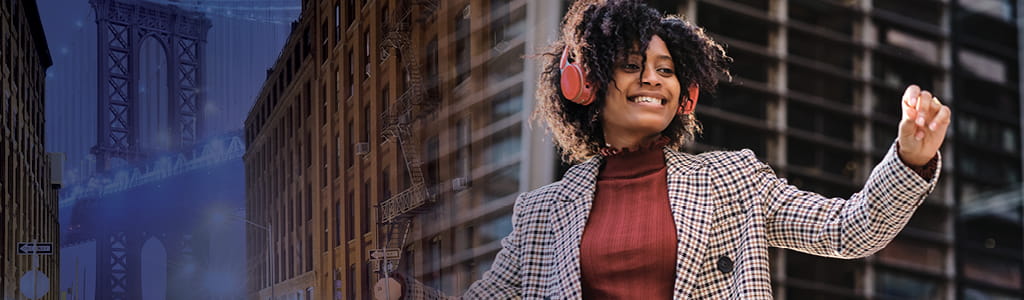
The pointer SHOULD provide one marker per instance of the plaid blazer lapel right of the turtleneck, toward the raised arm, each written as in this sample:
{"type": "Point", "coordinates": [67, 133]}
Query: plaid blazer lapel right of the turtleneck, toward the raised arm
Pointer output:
{"type": "Point", "coordinates": [693, 208]}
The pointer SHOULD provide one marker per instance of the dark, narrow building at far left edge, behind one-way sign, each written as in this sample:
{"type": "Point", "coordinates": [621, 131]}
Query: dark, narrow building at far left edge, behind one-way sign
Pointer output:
{"type": "Point", "coordinates": [28, 190]}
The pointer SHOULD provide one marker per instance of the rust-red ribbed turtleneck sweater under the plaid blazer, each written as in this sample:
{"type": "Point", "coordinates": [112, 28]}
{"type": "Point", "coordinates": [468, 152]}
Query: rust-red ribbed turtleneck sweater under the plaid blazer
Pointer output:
{"type": "Point", "coordinates": [629, 244]}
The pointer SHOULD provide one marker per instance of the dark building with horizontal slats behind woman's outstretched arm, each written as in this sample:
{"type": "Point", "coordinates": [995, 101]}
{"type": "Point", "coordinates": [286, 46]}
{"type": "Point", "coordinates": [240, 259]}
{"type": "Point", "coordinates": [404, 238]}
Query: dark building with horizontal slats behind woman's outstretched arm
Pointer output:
{"type": "Point", "coordinates": [817, 96]}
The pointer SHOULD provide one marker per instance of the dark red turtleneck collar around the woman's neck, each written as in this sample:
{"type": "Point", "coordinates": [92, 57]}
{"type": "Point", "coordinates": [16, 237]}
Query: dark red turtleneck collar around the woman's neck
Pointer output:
{"type": "Point", "coordinates": [633, 162]}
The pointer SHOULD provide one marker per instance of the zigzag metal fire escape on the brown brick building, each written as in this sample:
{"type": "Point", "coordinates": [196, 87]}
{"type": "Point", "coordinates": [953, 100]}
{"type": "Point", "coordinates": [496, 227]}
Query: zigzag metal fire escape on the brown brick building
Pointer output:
{"type": "Point", "coordinates": [396, 215]}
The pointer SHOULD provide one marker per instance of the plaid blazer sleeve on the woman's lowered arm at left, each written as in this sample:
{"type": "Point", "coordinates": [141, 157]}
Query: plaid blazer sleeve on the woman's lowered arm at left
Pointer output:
{"type": "Point", "coordinates": [501, 282]}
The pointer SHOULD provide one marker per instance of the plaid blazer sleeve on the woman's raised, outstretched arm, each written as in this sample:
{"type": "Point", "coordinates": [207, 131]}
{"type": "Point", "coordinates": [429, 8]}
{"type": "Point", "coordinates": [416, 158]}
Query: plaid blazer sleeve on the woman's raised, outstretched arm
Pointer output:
{"type": "Point", "coordinates": [842, 228]}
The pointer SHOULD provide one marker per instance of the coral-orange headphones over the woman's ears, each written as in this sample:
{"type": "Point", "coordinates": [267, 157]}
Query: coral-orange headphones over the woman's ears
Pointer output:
{"type": "Point", "coordinates": [576, 89]}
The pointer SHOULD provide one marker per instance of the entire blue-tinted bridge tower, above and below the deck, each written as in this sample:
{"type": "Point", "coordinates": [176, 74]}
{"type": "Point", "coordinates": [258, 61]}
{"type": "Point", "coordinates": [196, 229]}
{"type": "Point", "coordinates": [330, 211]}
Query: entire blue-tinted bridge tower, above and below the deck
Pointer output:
{"type": "Point", "coordinates": [122, 28]}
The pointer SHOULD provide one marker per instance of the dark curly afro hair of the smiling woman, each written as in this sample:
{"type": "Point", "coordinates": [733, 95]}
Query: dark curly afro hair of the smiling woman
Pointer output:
{"type": "Point", "coordinates": [602, 33]}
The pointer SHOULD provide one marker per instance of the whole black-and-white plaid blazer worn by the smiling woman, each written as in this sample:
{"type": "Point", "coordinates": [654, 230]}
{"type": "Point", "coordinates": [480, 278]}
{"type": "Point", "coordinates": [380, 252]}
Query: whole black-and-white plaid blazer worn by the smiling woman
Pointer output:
{"type": "Point", "coordinates": [729, 208]}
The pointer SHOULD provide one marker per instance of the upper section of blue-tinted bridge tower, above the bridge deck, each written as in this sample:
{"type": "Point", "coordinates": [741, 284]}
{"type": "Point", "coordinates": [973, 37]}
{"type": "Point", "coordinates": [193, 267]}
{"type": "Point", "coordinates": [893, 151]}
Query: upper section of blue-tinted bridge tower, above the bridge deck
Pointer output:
{"type": "Point", "coordinates": [122, 26]}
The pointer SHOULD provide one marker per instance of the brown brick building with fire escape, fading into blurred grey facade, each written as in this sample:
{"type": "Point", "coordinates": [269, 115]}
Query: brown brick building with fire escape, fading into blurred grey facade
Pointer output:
{"type": "Point", "coordinates": [324, 148]}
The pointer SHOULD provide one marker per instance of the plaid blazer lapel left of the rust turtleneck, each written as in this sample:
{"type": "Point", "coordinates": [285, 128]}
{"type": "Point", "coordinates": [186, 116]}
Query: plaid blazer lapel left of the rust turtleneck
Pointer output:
{"type": "Point", "coordinates": [569, 218]}
